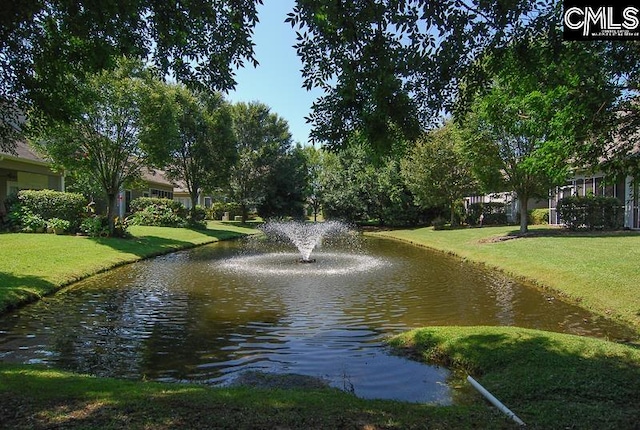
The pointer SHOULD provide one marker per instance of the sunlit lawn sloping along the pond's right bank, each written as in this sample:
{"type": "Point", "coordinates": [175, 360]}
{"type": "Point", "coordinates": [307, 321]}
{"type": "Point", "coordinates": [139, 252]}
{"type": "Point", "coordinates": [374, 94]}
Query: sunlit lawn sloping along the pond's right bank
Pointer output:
{"type": "Point", "coordinates": [597, 270]}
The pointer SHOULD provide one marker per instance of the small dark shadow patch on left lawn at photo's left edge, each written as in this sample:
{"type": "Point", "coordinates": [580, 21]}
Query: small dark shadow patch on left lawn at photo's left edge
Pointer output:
{"type": "Point", "coordinates": [16, 290]}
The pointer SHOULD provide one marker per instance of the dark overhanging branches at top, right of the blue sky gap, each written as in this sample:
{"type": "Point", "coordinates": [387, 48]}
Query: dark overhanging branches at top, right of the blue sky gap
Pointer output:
{"type": "Point", "coordinates": [388, 65]}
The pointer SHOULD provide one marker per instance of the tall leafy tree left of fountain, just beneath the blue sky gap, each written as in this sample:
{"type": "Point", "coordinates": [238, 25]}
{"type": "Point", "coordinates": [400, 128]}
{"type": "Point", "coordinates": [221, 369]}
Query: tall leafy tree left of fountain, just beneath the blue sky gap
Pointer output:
{"type": "Point", "coordinates": [262, 138]}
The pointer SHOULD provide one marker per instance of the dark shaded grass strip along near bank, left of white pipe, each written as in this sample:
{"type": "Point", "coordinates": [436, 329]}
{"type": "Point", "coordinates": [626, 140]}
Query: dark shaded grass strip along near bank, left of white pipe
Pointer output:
{"type": "Point", "coordinates": [40, 398]}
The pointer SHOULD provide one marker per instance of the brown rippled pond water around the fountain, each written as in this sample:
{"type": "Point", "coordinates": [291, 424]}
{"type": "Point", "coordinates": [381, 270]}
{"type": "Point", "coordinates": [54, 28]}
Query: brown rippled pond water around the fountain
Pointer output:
{"type": "Point", "coordinates": [212, 313]}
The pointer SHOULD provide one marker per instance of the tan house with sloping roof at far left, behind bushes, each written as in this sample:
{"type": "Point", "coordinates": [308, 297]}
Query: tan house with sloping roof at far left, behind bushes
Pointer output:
{"type": "Point", "coordinates": [26, 169]}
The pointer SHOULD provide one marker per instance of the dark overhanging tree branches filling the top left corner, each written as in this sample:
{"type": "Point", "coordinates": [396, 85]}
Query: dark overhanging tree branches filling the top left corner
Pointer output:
{"type": "Point", "coordinates": [47, 46]}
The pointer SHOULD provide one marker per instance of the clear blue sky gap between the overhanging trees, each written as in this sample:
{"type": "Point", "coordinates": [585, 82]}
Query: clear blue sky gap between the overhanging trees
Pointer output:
{"type": "Point", "coordinates": [277, 81]}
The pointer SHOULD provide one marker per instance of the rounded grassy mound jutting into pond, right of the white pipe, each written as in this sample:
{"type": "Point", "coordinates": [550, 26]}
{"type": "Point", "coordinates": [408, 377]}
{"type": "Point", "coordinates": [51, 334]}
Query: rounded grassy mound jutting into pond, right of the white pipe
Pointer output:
{"type": "Point", "coordinates": [550, 380]}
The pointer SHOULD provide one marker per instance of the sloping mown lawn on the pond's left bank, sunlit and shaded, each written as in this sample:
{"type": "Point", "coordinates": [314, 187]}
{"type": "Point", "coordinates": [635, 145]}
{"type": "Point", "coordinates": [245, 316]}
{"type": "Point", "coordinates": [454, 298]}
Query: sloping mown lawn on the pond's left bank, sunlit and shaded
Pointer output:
{"type": "Point", "coordinates": [34, 265]}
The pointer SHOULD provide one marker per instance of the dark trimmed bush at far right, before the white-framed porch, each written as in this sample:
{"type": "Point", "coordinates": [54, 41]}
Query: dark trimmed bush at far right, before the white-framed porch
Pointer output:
{"type": "Point", "coordinates": [590, 212]}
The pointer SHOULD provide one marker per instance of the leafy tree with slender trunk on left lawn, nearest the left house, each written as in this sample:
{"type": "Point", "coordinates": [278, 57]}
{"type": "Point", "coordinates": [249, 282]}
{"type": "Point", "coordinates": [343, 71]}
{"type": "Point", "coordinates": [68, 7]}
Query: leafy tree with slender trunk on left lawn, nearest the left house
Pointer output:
{"type": "Point", "coordinates": [107, 141]}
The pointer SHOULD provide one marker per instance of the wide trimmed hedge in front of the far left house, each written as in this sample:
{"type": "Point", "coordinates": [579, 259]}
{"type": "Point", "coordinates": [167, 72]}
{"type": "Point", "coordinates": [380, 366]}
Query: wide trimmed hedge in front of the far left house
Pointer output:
{"type": "Point", "coordinates": [29, 207]}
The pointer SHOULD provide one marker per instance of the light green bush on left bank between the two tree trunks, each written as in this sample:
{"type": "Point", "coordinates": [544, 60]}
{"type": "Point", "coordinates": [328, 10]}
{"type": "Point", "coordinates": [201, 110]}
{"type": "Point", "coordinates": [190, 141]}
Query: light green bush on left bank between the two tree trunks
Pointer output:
{"type": "Point", "coordinates": [152, 211]}
